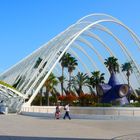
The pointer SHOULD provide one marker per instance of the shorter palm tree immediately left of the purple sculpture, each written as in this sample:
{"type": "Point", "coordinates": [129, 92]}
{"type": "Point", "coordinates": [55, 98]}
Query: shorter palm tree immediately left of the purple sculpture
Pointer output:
{"type": "Point", "coordinates": [96, 79]}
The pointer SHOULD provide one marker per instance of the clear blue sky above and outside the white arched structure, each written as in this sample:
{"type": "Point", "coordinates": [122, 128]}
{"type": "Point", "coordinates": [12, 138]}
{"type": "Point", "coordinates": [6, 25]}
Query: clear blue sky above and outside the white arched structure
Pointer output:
{"type": "Point", "coordinates": [27, 24]}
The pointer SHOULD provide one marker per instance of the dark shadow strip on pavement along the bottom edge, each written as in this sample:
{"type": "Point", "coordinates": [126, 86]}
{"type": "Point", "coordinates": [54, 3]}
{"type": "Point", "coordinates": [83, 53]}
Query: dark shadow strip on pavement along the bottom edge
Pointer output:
{"type": "Point", "coordinates": [40, 138]}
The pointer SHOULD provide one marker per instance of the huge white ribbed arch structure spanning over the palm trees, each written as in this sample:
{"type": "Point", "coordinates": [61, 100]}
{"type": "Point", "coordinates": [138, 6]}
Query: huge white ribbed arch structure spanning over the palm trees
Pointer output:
{"type": "Point", "coordinates": [86, 36]}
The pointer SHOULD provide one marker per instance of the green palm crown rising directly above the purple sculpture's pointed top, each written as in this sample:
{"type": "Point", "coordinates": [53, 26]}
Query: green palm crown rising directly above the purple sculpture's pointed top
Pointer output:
{"type": "Point", "coordinates": [112, 64]}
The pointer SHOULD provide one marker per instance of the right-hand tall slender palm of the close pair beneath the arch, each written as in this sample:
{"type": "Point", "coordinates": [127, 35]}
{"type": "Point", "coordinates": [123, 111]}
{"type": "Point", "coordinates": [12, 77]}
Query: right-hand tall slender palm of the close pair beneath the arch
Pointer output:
{"type": "Point", "coordinates": [72, 63]}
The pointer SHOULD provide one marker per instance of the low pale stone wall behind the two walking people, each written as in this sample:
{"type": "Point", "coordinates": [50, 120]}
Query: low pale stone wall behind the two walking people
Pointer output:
{"type": "Point", "coordinates": [113, 111]}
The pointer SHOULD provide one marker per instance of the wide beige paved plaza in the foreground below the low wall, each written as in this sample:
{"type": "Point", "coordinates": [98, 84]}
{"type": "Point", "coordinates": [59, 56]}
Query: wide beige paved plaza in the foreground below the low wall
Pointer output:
{"type": "Point", "coordinates": [19, 127]}
